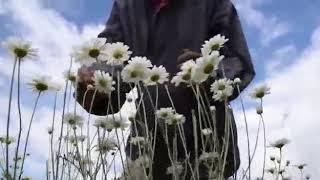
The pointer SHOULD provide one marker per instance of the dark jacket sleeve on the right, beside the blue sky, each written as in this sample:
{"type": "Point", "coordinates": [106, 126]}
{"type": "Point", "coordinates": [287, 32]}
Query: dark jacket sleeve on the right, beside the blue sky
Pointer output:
{"type": "Point", "coordinates": [237, 62]}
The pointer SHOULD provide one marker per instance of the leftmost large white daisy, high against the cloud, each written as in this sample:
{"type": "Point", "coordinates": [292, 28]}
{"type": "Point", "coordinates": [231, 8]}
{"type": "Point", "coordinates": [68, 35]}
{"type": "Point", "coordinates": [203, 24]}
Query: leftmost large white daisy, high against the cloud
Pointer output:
{"type": "Point", "coordinates": [20, 48]}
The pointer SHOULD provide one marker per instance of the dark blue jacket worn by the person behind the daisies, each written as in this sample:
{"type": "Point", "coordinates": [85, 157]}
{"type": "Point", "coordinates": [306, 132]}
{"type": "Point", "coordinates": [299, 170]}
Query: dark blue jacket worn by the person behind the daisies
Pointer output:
{"type": "Point", "coordinates": [184, 24]}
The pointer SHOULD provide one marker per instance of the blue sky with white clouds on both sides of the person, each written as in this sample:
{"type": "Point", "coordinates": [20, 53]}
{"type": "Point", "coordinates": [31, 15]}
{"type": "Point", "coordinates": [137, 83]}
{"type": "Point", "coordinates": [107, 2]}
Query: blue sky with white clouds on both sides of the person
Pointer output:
{"type": "Point", "coordinates": [283, 37]}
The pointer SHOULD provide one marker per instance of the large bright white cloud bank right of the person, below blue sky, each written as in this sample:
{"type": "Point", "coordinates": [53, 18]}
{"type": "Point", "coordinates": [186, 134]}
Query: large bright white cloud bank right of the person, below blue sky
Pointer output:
{"type": "Point", "coordinates": [292, 109]}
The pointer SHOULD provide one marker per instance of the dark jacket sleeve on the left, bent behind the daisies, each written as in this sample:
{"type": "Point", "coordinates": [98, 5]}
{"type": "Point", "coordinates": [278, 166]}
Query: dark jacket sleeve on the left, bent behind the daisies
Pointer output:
{"type": "Point", "coordinates": [113, 33]}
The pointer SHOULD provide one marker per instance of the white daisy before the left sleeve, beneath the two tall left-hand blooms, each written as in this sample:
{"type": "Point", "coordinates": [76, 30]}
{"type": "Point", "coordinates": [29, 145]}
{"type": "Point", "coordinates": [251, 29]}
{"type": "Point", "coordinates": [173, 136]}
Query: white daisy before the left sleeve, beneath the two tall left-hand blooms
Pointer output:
{"type": "Point", "coordinates": [103, 82]}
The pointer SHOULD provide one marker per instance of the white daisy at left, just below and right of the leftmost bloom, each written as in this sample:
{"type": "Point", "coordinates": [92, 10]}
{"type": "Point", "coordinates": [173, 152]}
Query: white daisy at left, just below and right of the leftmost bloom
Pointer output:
{"type": "Point", "coordinates": [41, 84]}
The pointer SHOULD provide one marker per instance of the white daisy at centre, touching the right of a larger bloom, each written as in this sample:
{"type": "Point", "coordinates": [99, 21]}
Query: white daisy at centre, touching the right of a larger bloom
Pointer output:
{"type": "Point", "coordinates": [157, 75]}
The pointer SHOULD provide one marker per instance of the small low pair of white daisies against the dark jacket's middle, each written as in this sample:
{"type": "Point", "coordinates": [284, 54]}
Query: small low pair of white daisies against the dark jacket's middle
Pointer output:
{"type": "Point", "coordinates": [170, 117]}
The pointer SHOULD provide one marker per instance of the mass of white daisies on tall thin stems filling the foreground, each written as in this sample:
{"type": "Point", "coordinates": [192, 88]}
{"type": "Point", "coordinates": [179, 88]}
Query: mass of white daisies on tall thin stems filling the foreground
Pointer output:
{"type": "Point", "coordinates": [86, 148]}
